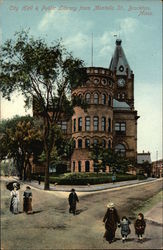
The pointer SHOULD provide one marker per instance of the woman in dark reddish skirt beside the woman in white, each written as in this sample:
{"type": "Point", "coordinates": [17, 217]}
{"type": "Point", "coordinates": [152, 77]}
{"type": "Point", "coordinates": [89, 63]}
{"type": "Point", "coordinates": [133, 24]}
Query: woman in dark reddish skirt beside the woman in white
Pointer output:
{"type": "Point", "coordinates": [27, 200]}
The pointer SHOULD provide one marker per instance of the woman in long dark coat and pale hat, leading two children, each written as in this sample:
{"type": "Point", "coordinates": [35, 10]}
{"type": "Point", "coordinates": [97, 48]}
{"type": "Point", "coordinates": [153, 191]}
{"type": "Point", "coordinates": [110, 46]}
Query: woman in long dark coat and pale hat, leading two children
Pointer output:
{"type": "Point", "coordinates": [111, 219]}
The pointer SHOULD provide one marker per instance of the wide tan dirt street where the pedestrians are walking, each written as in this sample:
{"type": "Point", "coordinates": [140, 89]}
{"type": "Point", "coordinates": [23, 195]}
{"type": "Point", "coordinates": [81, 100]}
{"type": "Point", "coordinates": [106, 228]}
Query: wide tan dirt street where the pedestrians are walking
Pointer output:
{"type": "Point", "coordinates": [52, 227]}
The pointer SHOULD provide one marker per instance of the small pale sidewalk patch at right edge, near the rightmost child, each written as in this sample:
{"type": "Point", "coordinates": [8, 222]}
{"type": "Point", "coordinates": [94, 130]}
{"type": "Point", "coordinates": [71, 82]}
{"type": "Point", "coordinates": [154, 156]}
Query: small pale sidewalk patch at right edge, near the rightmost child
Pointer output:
{"type": "Point", "coordinates": [154, 215]}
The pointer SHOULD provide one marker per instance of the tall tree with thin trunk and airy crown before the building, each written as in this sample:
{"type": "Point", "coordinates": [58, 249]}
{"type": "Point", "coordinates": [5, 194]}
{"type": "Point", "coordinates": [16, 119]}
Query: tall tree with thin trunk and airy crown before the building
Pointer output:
{"type": "Point", "coordinates": [45, 74]}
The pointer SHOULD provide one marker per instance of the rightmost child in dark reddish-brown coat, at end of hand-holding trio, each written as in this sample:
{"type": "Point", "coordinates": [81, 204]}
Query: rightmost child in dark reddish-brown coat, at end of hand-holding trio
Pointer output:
{"type": "Point", "coordinates": [140, 225]}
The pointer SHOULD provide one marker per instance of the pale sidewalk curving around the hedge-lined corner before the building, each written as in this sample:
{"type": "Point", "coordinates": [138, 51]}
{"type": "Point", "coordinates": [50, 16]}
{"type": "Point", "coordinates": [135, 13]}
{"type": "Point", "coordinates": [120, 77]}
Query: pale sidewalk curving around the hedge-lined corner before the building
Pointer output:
{"type": "Point", "coordinates": [91, 188]}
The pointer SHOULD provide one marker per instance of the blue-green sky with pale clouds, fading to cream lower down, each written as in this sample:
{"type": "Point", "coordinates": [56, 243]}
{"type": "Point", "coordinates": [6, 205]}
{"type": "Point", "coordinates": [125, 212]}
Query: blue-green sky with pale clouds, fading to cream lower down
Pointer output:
{"type": "Point", "coordinates": [138, 23]}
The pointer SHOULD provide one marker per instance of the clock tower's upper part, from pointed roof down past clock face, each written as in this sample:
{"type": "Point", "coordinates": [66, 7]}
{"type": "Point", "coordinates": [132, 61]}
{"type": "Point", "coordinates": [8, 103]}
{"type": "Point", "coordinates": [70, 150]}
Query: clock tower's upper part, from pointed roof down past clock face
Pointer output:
{"type": "Point", "coordinates": [123, 76]}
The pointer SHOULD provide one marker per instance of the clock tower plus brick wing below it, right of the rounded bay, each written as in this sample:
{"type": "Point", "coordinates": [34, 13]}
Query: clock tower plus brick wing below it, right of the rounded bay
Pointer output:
{"type": "Point", "coordinates": [124, 114]}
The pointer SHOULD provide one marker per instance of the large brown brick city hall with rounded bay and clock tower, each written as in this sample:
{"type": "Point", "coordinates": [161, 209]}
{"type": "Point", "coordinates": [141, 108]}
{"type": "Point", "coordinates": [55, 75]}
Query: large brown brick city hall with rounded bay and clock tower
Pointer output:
{"type": "Point", "coordinates": [110, 118]}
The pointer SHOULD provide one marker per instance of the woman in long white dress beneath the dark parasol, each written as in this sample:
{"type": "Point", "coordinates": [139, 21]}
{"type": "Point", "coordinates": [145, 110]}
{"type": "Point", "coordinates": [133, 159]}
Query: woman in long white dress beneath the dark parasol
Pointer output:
{"type": "Point", "coordinates": [14, 200]}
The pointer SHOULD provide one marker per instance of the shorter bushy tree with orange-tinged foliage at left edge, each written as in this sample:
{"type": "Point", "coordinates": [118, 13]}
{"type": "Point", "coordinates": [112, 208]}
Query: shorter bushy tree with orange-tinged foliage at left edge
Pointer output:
{"type": "Point", "coordinates": [20, 140]}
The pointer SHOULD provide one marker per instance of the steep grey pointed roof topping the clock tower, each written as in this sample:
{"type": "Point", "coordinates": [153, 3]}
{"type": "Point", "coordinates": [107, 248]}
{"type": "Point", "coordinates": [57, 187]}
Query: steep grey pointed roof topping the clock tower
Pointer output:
{"type": "Point", "coordinates": [119, 61]}
